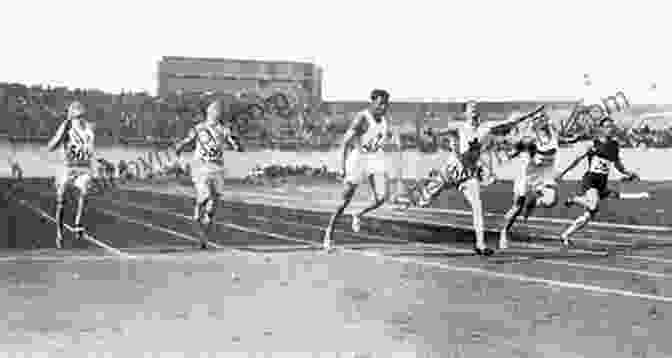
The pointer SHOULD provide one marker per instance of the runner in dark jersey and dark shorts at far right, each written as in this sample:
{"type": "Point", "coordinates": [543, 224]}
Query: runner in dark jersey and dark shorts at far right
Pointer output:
{"type": "Point", "coordinates": [602, 155]}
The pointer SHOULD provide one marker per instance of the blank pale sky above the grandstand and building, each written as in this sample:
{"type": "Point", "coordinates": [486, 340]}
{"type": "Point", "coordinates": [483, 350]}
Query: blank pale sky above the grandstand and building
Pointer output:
{"type": "Point", "coordinates": [418, 50]}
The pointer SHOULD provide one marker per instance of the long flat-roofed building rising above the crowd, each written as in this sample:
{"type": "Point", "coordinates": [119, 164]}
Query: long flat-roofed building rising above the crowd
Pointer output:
{"type": "Point", "coordinates": [232, 75]}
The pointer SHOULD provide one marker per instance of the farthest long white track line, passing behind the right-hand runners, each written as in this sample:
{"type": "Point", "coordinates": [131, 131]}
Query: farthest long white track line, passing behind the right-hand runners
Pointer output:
{"type": "Point", "coordinates": [600, 224]}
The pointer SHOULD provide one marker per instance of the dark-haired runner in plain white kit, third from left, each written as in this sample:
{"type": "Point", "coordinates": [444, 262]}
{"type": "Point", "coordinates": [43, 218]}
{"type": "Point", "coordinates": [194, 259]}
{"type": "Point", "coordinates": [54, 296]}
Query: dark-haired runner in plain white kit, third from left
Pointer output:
{"type": "Point", "coordinates": [363, 160]}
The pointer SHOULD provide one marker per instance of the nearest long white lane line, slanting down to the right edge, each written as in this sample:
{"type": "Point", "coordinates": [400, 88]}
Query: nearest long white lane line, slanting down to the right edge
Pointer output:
{"type": "Point", "coordinates": [480, 271]}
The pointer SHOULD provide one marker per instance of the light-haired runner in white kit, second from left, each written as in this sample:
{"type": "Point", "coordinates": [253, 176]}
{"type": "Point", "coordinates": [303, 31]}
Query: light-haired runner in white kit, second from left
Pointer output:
{"type": "Point", "coordinates": [208, 171]}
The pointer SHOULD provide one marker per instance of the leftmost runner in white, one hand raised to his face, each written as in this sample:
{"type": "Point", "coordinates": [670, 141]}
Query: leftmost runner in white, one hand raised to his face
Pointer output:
{"type": "Point", "coordinates": [76, 137]}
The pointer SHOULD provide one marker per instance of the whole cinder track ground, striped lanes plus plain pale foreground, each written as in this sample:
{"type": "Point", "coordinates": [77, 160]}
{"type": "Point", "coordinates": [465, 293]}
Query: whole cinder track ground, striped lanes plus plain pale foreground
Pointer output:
{"type": "Point", "coordinates": [406, 283]}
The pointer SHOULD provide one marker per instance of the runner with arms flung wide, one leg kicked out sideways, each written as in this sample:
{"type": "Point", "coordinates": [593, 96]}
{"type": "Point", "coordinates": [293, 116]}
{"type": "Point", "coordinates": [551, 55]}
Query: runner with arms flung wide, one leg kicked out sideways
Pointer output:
{"type": "Point", "coordinates": [464, 171]}
